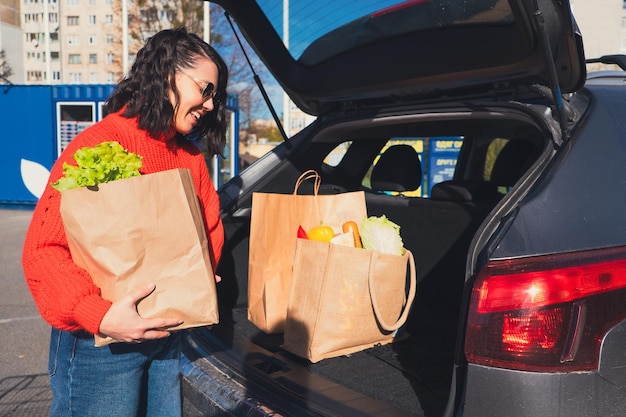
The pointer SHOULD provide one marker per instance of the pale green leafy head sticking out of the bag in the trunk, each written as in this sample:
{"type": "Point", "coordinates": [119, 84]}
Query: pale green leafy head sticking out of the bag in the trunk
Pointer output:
{"type": "Point", "coordinates": [382, 235]}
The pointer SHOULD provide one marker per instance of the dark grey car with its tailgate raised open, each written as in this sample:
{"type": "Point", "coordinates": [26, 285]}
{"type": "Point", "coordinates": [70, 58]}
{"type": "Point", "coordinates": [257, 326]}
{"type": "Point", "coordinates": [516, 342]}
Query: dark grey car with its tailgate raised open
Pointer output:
{"type": "Point", "coordinates": [520, 247]}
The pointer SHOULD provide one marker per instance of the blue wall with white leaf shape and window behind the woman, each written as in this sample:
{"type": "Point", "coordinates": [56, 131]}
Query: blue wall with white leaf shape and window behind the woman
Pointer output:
{"type": "Point", "coordinates": [38, 122]}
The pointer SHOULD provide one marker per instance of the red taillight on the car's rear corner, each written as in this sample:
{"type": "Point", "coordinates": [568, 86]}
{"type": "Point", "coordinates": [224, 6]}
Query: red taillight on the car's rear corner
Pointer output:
{"type": "Point", "coordinates": [546, 313]}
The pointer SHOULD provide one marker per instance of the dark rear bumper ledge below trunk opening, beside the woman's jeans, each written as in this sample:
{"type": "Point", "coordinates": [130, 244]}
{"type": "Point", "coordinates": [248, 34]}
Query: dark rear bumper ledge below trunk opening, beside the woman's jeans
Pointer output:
{"type": "Point", "coordinates": [251, 382]}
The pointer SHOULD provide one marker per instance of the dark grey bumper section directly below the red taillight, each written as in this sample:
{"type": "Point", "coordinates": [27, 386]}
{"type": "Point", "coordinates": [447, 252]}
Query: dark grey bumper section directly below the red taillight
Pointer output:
{"type": "Point", "coordinates": [601, 393]}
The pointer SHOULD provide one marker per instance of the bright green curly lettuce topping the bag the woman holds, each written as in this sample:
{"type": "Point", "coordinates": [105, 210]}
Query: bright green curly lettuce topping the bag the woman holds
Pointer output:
{"type": "Point", "coordinates": [107, 161]}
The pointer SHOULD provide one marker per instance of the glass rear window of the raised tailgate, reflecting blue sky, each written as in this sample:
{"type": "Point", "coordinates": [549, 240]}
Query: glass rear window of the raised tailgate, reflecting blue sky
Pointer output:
{"type": "Point", "coordinates": [323, 29]}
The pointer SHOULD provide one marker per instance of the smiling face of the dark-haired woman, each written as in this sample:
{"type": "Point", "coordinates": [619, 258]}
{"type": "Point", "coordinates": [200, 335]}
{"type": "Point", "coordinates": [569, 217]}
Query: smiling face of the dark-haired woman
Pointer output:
{"type": "Point", "coordinates": [191, 82]}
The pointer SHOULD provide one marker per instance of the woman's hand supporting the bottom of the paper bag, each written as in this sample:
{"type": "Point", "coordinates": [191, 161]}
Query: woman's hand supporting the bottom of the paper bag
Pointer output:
{"type": "Point", "coordinates": [123, 324]}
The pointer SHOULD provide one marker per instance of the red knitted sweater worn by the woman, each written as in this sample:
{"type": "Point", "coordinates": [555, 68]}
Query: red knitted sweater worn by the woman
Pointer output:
{"type": "Point", "coordinates": [65, 293]}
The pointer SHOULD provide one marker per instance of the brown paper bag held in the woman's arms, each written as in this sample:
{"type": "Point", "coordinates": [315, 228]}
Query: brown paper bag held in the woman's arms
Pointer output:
{"type": "Point", "coordinates": [140, 230]}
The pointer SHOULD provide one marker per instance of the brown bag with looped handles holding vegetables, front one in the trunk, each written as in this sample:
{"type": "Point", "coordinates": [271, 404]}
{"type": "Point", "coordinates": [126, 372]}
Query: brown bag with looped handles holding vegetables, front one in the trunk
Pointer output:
{"type": "Point", "coordinates": [344, 300]}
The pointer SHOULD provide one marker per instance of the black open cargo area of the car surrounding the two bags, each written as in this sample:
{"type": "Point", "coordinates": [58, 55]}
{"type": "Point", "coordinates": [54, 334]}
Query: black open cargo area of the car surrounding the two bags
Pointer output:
{"type": "Point", "coordinates": [421, 373]}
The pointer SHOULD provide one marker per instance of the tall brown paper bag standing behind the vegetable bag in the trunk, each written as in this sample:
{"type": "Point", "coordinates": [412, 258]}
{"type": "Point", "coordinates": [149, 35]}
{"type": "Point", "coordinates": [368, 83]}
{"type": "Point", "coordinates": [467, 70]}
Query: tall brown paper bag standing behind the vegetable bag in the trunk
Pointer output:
{"type": "Point", "coordinates": [273, 230]}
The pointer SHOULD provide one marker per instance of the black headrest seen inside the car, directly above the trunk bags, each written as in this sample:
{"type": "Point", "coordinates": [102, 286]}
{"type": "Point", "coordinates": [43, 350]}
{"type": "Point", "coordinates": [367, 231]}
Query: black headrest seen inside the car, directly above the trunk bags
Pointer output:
{"type": "Point", "coordinates": [398, 169]}
